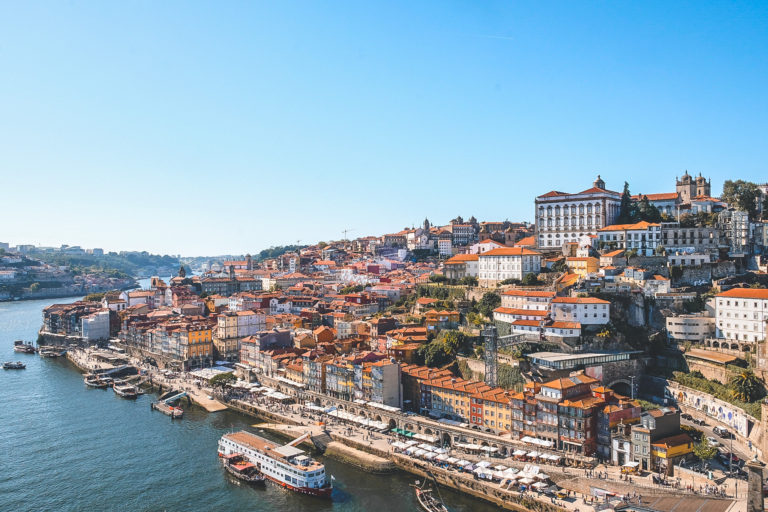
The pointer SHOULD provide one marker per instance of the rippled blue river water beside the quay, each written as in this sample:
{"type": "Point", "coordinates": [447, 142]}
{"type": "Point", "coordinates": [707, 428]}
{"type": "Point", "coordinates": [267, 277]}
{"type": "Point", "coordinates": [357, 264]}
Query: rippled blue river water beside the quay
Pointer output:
{"type": "Point", "coordinates": [64, 447]}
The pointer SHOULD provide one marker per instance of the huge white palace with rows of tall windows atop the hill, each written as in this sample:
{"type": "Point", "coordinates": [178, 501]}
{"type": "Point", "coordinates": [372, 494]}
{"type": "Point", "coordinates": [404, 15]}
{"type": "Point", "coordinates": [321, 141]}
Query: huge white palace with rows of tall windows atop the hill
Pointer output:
{"type": "Point", "coordinates": [562, 217]}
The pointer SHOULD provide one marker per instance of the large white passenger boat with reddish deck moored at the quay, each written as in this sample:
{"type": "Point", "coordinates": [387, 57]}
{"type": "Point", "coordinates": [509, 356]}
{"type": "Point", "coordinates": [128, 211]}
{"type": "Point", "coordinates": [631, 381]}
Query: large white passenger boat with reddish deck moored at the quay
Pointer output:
{"type": "Point", "coordinates": [285, 465]}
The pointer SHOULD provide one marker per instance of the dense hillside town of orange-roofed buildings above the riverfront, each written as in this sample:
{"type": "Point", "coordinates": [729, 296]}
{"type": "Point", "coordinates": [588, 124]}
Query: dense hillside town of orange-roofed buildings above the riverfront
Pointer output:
{"type": "Point", "coordinates": [616, 329]}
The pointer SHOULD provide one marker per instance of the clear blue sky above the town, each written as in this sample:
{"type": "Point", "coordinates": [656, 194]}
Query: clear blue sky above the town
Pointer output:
{"type": "Point", "coordinates": [201, 128]}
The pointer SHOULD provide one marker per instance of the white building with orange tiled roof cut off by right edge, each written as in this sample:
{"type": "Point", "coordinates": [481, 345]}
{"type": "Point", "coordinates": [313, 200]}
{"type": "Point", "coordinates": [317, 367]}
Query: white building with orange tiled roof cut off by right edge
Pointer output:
{"type": "Point", "coordinates": [741, 314]}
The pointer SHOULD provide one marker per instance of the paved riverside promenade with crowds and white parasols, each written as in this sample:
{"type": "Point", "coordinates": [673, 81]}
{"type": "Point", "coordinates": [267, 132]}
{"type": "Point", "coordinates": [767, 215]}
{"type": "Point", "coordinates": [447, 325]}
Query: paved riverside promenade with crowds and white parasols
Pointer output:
{"type": "Point", "coordinates": [368, 449]}
